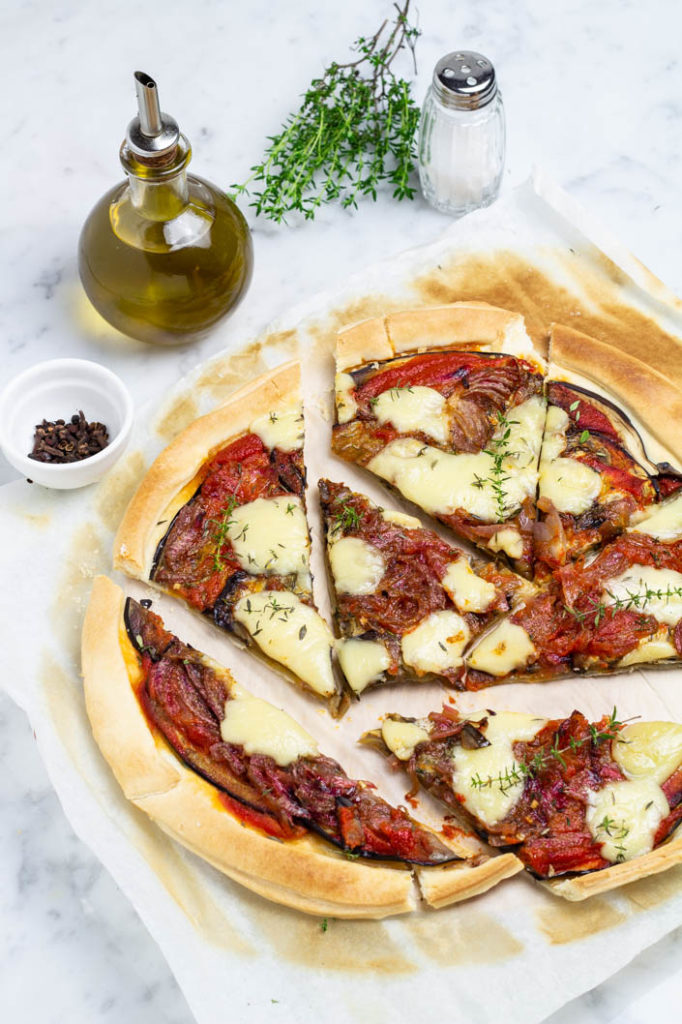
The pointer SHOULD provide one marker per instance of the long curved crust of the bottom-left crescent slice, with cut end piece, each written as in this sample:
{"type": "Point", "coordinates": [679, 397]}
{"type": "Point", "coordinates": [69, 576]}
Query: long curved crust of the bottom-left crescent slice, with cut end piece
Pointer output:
{"type": "Point", "coordinates": [305, 874]}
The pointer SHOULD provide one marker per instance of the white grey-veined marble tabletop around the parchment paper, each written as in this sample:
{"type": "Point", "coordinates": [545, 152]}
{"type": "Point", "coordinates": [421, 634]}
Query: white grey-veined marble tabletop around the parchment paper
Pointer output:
{"type": "Point", "coordinates": [593, 94]}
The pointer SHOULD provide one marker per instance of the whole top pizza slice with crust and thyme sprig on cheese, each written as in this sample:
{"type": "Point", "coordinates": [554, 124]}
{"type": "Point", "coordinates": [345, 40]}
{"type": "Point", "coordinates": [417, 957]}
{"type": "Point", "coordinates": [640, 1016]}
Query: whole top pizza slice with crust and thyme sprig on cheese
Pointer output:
{"type": "Point", "coordinates": [446, 405]}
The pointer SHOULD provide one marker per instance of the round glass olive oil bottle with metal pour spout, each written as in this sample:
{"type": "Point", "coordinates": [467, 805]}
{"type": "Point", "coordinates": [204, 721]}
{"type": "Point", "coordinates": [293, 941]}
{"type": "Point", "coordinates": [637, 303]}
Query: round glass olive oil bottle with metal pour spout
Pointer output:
{"type": "Point", "coordinates": [164, 255]}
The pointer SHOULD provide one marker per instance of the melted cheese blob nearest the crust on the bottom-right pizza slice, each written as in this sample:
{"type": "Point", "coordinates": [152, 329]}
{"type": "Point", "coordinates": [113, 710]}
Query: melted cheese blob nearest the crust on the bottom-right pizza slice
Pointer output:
{"type": "Point", "coordinates": [624, 818]}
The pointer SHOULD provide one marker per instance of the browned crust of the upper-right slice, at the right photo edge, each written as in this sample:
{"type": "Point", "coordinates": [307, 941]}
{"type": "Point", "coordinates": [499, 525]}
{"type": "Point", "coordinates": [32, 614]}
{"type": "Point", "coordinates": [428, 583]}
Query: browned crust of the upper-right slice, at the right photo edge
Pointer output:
{"type": "Point", "coordinates": [644, 392]}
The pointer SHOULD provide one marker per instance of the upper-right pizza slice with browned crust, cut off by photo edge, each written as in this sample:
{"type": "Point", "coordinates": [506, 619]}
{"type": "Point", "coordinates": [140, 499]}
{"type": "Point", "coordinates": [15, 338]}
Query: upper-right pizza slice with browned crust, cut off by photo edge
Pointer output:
{"type": "Point", "coordinates": [596, 472]}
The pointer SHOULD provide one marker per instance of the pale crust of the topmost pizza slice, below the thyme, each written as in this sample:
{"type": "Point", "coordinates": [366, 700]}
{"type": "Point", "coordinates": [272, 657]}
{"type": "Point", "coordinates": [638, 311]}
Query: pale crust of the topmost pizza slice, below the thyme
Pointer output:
{"type": "Point", "coordinates": [476, 325]}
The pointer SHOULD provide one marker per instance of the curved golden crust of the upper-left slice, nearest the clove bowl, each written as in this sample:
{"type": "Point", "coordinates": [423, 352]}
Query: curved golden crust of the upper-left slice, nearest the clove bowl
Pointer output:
{"type": "Point", "coordinates": [179, 463]}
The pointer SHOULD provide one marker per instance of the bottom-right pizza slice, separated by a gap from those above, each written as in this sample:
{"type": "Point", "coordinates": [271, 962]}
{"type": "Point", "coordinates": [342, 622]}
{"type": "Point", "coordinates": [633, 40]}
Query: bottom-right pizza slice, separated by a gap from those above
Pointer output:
{"type": "Point", "coordinates": [569, 797]}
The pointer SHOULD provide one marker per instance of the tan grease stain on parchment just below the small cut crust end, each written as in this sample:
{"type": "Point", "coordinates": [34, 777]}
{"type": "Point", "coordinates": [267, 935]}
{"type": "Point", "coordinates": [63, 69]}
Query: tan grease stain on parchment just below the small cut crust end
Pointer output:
{"type": "Point", "coordinates": [463, 937]}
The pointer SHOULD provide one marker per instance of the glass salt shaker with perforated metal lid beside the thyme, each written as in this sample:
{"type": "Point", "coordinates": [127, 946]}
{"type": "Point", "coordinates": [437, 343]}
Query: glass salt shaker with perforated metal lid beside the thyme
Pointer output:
{"type": "Point", "coordinates": [462, 136]}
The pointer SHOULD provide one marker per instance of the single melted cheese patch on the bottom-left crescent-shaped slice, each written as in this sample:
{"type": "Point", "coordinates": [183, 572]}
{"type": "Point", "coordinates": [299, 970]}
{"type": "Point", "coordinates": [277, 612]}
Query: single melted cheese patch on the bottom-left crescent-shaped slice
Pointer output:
{"type": "Point", "coordinates": [263, 729]}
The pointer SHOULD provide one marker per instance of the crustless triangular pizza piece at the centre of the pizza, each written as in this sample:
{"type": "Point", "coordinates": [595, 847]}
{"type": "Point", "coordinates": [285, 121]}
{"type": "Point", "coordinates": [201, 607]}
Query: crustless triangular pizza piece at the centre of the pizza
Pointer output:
{"type": "Point", "coordinates": [408, 605]}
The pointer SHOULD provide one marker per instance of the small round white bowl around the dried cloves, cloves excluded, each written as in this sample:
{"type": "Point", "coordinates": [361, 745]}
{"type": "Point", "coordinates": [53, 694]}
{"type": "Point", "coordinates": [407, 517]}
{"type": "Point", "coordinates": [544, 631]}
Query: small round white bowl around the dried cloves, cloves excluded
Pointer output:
{"type": "Point", "coordinates": [58, 390]}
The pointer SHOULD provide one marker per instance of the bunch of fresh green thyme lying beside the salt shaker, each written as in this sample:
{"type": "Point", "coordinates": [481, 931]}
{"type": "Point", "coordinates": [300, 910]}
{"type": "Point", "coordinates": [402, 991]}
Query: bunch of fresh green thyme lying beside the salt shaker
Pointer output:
{"type": "Point", "coordinates": [355, 130]}
